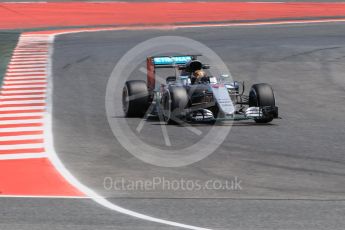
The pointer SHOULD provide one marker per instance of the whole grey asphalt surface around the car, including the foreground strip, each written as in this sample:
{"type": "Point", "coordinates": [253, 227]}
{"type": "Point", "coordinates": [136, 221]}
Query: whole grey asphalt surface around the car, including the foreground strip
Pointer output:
{"type": "Point", "coordinates": [292, 172]}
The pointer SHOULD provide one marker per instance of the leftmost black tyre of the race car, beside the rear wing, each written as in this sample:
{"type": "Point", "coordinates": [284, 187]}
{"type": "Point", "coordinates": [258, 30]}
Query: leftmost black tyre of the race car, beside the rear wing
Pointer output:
{"type": "Point", "coordinates": [135, 98]}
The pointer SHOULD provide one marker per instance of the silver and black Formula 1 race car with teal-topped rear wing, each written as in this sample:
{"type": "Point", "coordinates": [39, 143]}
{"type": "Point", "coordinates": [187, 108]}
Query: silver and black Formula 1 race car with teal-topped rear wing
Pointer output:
{"type": "Point", "coordinates": [178, 98]}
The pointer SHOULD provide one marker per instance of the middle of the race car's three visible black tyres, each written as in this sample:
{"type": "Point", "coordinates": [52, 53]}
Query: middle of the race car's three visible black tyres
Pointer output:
{"type": "Point", "coordinates": [174, 101]}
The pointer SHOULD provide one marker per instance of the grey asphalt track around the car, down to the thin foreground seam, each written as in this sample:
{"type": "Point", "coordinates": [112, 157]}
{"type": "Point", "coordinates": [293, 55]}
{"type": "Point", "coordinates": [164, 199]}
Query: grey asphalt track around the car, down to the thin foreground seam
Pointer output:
{"type": "Point", "coordinates": [300, 156]}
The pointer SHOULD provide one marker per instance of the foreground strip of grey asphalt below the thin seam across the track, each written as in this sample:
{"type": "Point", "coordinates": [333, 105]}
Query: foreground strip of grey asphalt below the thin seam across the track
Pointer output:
{"type": "Point", "coordinates": [70, 214]}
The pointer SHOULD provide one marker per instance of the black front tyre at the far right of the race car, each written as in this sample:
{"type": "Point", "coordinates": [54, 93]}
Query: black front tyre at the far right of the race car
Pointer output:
{"type": "Point", "coordinates": [262, 95]}
